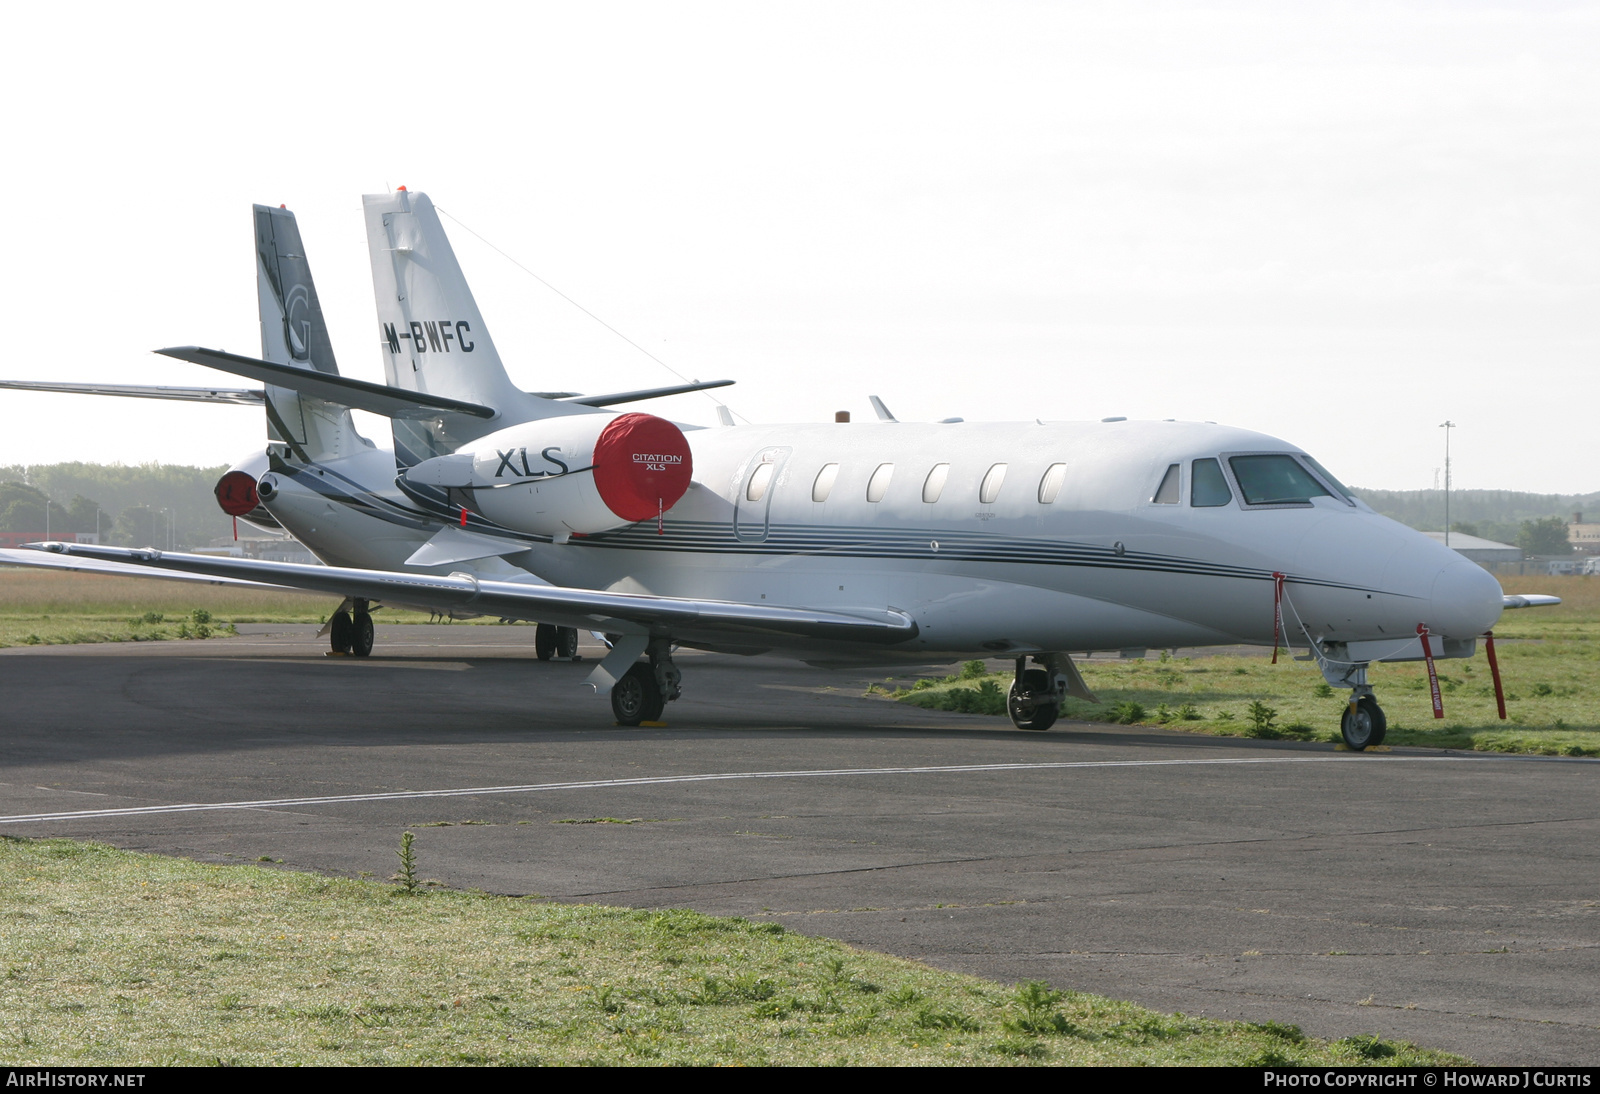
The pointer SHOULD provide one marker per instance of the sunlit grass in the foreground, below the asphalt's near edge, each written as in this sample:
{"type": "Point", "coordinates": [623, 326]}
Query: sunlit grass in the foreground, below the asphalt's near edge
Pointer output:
{"type": "Point", "coordinates": [119, 959]}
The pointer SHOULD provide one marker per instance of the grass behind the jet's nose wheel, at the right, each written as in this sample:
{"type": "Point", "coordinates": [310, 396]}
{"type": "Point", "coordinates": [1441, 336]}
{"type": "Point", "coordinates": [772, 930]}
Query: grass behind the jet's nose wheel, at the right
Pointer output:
{"type": "Point", "coordinates": [1550, 663]}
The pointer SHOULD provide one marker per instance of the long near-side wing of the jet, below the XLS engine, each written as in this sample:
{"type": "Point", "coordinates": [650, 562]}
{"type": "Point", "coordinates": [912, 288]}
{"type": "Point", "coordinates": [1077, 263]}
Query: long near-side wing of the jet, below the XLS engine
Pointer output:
{"type": "Point", "coordinates": [692, 621]}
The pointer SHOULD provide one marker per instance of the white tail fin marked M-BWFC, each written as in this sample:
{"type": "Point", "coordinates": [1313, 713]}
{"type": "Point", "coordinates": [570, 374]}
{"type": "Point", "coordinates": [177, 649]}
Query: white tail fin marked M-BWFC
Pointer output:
{"type": "Point", "coordinates": [431, 333]}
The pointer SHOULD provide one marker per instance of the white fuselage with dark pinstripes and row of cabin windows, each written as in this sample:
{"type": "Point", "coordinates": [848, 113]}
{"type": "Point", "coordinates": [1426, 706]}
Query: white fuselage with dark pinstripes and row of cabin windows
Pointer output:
{"type": "Point", "coordinates": [1097, 567]}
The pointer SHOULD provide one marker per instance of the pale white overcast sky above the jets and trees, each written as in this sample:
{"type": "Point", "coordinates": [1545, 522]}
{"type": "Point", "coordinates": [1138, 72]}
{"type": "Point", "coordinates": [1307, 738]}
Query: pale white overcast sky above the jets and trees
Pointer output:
{"type": "Point", "coordinates": [1335, 223]}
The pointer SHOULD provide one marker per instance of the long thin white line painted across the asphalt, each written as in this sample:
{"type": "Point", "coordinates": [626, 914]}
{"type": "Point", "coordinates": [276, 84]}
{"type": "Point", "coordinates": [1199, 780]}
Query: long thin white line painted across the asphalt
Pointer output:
{"type": "Point", "coordinates": [660, 781]}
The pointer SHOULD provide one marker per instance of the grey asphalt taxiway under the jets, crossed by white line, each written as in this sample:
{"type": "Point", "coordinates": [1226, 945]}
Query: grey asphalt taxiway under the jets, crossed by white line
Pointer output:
{"type": "Point", "coordinates": [1441, 898]}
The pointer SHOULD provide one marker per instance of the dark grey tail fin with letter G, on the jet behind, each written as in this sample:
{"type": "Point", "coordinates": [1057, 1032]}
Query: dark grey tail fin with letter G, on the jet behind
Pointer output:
{"type": "Point", "coordinates": [294, 333]}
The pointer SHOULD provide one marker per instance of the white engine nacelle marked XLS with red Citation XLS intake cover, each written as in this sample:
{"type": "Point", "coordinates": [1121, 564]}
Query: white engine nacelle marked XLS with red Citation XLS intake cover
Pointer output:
{"type": "Point", "coordinates": [575, 474]}
